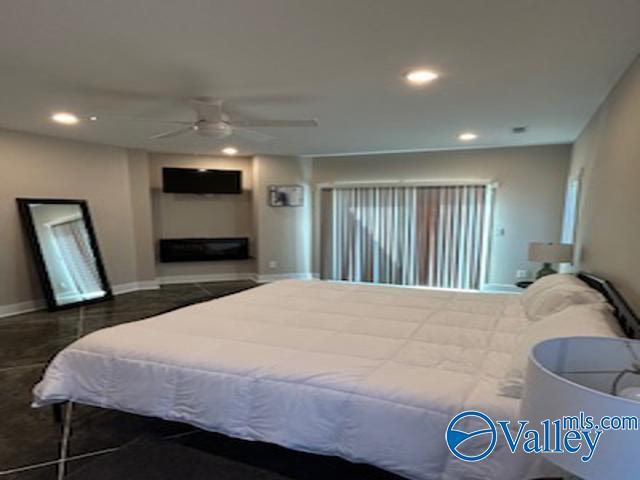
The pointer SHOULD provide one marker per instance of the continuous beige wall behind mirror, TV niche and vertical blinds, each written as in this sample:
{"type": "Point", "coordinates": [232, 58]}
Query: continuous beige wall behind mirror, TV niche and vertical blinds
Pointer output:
{"type": "Point", "coordinates": [131, 213]}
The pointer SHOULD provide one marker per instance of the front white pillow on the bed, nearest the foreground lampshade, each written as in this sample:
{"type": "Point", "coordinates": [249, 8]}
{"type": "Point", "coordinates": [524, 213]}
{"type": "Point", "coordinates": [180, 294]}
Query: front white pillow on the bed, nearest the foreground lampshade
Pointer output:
{"type": "Point", "coordinates": [577, 321]}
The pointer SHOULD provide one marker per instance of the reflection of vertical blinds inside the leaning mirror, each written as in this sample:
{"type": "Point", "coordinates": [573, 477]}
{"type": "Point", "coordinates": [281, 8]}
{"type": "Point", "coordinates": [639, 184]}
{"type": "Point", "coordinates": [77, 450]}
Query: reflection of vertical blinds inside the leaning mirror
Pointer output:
{"type": "Point", "coordinates": [73, 244]}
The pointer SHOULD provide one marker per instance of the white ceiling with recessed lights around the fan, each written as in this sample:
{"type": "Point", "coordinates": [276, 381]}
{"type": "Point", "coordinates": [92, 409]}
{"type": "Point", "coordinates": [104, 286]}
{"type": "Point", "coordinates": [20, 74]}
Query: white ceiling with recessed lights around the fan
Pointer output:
{"type": "Point", "coordinates": [545, 64]}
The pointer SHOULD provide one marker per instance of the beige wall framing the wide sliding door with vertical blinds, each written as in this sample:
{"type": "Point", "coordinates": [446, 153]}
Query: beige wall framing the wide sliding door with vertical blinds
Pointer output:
{"type": "Point", "coordinates": [529, 199]}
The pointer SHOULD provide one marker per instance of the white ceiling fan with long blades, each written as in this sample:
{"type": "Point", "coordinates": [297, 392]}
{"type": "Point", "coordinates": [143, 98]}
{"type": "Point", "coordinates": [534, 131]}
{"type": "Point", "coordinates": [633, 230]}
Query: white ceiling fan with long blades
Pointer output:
{"type": "Point", "coordinates": [213, 121]}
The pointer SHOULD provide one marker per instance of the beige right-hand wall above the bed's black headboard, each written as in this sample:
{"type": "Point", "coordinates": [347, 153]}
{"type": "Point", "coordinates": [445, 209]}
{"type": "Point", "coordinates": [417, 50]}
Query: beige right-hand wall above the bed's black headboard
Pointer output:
{"type": "Point", "coordinates": [608, 155]}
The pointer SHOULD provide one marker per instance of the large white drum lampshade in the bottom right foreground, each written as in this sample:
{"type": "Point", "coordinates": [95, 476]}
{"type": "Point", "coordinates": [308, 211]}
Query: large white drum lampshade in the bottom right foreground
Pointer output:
{"type": "Point", "coordinates": [567, 376]}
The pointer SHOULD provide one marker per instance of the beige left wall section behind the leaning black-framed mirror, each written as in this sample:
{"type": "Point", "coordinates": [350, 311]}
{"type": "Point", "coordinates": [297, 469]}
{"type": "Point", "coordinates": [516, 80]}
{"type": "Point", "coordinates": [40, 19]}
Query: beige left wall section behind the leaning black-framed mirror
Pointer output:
{"type": "Point", "coordinates": [37, 166]}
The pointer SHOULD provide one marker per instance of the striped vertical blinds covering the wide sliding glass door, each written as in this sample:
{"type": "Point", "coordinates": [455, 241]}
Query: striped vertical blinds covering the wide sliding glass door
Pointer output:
{"type": "Point", "coordinates": [430, 236]}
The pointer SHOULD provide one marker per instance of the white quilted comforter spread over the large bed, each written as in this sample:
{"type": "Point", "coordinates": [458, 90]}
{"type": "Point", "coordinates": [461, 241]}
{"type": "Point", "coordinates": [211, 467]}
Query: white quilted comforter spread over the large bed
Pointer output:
{"type": "Point", "coordinates": [369, 373]}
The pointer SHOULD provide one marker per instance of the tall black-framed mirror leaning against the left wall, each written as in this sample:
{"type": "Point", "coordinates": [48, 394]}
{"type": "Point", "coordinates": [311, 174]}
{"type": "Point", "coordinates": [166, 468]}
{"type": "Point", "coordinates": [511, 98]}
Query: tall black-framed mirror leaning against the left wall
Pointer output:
{"type": "Point", "coordinates": [66, 251]}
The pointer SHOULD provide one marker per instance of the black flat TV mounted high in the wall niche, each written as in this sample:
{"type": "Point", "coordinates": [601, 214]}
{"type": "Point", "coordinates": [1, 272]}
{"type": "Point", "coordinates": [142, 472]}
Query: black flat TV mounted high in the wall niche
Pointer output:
{"type": "Point", "coordinates": [195, 180]}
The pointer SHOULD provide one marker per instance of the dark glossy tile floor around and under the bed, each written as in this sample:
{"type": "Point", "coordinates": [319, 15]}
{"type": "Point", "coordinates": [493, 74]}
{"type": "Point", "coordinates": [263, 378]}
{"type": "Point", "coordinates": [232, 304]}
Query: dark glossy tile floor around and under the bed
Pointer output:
{"type": "Point", "coordinates": [30, 439]}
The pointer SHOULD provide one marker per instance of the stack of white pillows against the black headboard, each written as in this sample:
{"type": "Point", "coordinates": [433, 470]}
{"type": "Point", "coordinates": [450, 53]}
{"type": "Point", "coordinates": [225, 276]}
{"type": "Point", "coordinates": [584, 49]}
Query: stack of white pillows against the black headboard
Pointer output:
{"type": "Point", "coordinates": [558, 305]}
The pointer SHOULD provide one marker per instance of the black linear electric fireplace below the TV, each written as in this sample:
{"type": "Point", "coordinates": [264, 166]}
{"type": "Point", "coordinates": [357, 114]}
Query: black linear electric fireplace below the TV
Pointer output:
{"type": "Point", "coordinates": [203, 249]}
